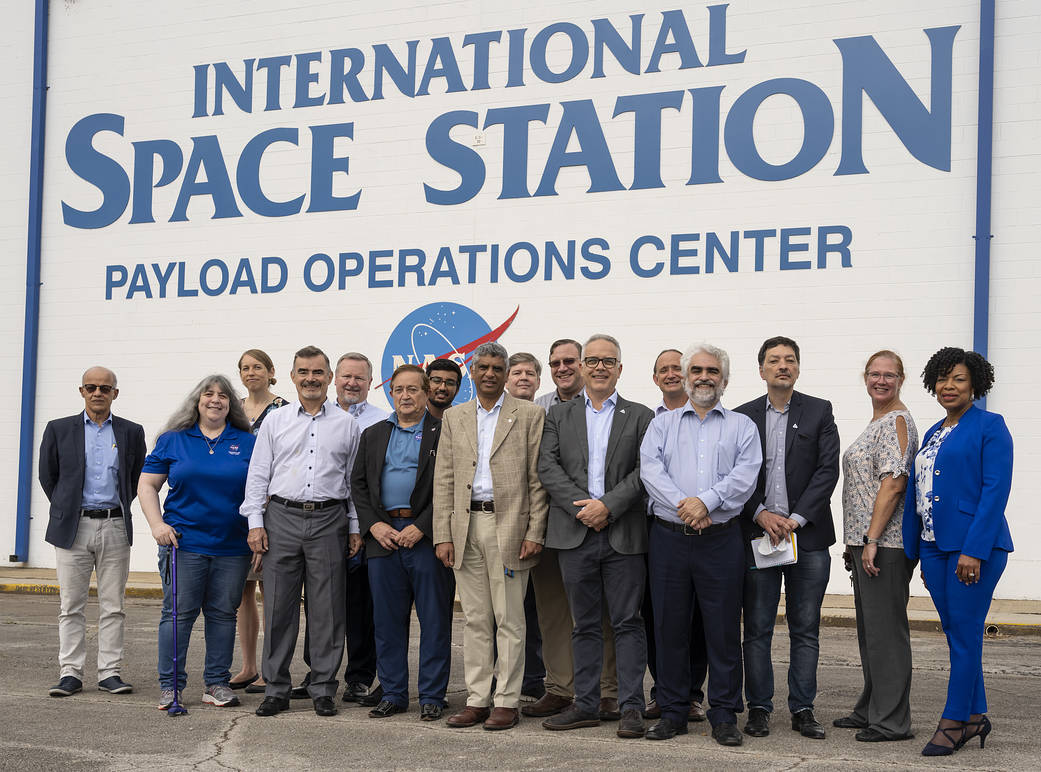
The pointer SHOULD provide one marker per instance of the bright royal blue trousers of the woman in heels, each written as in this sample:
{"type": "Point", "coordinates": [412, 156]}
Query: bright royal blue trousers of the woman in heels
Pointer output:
{"type": "Point", "coordinates": [963, 614]}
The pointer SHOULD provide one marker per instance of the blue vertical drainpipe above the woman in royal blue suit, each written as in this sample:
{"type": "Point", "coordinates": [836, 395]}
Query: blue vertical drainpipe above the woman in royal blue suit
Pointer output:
{"type": "Point", "coordinates": [985, 134]}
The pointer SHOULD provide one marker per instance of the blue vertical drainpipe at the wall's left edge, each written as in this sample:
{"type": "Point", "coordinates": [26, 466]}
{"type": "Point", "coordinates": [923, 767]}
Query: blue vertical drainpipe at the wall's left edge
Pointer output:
{"type": "Point", "coordinates": [32, 287]}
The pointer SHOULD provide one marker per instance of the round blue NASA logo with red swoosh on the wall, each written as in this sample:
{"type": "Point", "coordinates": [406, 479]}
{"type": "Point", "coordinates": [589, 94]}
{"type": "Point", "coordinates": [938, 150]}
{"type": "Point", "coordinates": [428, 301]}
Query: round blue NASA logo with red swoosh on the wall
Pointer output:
{"type": "Point", "coordinates": [440, 331]}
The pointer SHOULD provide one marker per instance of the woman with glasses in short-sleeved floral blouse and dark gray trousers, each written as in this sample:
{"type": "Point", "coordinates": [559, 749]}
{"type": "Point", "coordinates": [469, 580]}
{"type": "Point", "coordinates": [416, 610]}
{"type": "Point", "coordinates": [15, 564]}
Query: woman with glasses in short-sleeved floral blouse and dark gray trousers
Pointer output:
{"type": "Point", "coordinates": [875, 471]}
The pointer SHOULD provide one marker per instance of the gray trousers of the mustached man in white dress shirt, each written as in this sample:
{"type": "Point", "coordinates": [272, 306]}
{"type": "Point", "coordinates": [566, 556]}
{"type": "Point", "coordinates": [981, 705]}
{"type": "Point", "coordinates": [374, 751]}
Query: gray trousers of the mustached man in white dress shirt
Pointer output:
{"type": "Point", "coordinates": [299, 544]}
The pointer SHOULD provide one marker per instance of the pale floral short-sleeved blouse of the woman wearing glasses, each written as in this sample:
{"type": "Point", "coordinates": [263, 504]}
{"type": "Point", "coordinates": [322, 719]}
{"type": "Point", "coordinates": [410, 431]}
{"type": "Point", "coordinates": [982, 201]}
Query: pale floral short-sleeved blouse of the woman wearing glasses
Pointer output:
{"type": "Point", "coordinates": [872, 457]}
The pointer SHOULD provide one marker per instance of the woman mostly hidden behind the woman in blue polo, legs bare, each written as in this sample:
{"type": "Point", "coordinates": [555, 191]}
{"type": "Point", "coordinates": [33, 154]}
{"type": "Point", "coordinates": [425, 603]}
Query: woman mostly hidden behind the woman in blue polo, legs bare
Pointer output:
{"type": "Point", "coordinates": [258, 374]}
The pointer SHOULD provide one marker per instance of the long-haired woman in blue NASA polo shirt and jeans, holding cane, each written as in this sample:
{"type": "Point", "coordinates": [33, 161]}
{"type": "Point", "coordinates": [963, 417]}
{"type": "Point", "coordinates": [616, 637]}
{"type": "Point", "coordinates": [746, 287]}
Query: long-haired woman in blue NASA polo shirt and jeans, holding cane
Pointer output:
{"type": "Point", "coordinates": [204, 453]}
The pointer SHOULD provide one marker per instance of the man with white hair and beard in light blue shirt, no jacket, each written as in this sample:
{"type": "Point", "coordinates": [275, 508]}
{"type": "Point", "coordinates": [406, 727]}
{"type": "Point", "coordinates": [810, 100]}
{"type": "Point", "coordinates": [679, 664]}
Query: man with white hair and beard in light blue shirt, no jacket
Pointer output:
{"type": "Point", "coordinates": [699, 465]}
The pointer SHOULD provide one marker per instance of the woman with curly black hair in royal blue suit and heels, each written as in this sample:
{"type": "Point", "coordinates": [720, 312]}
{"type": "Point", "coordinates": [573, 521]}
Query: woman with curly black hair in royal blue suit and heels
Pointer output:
{"type": "Point", "coordinates": [960, 487]}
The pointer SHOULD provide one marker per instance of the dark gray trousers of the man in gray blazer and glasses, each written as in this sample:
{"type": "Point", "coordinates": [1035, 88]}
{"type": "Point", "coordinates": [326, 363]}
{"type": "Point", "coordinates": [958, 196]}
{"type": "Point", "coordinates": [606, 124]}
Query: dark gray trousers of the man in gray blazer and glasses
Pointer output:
{"type": "Point", "coordinates": [596, 577]}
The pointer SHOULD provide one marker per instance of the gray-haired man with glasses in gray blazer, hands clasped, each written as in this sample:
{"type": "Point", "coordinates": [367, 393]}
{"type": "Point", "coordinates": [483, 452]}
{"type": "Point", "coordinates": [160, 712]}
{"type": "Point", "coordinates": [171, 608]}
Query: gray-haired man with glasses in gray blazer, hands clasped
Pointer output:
{"type": "Point", "coordinates": [590, 466]}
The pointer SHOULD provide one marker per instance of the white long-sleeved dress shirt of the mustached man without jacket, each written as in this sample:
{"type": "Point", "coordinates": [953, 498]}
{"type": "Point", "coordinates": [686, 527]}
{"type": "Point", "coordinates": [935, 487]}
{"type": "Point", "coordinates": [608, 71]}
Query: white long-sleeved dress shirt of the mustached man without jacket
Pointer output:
{"type": "Point", "coordinates": [302, 458]}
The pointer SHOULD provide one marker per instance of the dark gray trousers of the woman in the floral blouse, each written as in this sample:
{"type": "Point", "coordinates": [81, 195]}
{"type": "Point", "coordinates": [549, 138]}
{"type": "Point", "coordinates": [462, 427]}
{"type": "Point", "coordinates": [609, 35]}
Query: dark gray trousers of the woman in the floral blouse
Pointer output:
{"type": "Point", "coordinates": [885, 641]}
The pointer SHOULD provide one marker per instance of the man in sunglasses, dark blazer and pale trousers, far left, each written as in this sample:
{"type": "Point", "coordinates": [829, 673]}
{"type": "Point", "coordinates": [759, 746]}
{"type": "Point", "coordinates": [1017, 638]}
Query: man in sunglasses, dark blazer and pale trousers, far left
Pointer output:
{"type": "Point", "coordinates": [90, 465]}
